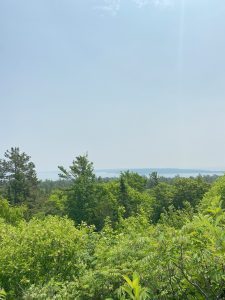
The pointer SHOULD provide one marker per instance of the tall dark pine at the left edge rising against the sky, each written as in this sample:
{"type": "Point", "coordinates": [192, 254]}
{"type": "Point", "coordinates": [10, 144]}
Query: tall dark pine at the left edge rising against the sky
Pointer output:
{"type": "Point", "coordinates": [18, 179]}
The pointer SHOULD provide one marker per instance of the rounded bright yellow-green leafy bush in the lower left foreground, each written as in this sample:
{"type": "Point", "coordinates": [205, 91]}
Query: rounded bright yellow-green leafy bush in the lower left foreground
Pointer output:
{"type": "Point", "coordinates": [41, 250]}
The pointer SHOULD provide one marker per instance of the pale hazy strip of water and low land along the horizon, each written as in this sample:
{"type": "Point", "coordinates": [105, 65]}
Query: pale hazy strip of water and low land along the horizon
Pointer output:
{"type": "Point", "coordinates": [165, 172]}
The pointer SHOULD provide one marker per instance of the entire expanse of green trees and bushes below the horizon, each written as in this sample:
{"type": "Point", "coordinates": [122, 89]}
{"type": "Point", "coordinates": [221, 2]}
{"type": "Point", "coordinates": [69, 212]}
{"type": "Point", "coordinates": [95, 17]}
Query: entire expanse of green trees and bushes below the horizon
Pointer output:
{"type": "Point", "coordinates": [132, 237]}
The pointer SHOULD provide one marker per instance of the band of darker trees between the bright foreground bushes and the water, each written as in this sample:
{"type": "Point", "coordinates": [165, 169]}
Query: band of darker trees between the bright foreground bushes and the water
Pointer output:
{"type": "Point", "coordinates": [83, 197]}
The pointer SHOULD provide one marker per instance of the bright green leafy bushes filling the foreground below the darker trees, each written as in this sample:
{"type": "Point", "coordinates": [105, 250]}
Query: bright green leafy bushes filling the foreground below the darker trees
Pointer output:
{"type": "Point", "coordinates": [51, 259]}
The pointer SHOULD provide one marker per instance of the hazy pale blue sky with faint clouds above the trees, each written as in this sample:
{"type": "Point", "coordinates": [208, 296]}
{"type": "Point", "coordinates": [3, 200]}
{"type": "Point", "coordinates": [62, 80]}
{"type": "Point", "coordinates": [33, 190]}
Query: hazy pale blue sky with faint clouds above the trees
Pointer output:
{"type": "Point", "coordinates": [135, 83]}
